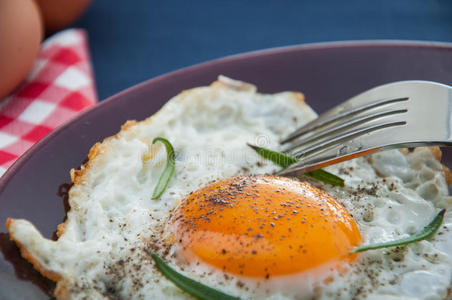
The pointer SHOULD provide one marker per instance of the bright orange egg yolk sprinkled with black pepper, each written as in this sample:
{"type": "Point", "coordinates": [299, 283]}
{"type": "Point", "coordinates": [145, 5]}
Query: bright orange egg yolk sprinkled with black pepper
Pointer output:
{"type": "Point", "coordinates": [264, 226]}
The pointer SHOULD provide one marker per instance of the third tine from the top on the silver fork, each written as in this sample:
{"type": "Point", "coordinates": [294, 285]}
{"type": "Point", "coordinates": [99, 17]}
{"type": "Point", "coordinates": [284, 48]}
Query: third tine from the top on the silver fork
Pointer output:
{"type": "Point", "coordinates": [345, 137]}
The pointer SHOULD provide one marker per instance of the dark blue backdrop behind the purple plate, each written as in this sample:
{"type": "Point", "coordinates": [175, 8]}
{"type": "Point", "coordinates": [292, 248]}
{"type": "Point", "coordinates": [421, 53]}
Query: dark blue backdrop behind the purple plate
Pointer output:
{"type": "Point", "coordinates": [135, 40]}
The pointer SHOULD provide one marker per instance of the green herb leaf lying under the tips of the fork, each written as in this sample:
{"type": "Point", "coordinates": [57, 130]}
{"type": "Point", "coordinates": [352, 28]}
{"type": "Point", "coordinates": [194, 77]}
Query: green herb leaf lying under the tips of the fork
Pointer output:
{"type": "Point", "coordinates": [285, 160]}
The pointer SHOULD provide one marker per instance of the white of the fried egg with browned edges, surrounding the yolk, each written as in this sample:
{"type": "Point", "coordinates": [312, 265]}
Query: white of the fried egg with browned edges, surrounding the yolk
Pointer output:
{"type": "Point", "coordinates": [103, 248]}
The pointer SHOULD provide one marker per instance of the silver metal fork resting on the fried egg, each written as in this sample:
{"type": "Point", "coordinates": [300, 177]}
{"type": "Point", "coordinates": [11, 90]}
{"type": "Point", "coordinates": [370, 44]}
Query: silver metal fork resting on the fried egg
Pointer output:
{"type": "Point", "coordinates": [395, 115]}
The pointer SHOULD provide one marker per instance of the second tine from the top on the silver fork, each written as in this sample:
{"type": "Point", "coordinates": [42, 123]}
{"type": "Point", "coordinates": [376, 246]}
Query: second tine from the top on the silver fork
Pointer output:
{"type": "Point", "coordinates": [346, 125]}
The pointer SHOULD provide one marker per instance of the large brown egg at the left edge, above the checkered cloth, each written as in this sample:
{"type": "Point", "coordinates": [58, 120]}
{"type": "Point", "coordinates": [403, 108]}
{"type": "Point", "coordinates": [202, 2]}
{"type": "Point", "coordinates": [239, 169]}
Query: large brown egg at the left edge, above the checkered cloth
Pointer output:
{"type": "Point", "coordinates": [20, 38]}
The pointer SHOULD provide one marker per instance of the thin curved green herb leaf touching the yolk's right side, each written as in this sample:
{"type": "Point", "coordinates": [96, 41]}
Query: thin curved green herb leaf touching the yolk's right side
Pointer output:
{"type": "Point", "coordinates": [425, 233]}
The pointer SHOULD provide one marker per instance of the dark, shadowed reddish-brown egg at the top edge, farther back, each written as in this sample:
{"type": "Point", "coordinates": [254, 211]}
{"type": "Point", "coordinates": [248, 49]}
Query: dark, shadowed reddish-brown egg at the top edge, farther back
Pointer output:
{"type": "Point", "coordinates": [58, 14]}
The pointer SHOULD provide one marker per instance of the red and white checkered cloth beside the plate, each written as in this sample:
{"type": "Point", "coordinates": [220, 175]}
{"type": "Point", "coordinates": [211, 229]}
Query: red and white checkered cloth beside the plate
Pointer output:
{"type": "Point", "coordinates": [59, 86]}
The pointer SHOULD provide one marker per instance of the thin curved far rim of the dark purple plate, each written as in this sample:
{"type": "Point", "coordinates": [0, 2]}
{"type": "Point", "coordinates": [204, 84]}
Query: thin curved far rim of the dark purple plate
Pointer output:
{"type": "Point", "coordinates": [22, 160]}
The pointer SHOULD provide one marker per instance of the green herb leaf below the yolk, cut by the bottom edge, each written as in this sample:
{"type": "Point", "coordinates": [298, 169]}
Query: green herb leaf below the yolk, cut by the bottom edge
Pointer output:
{"type": "Point", "coordinates": [189, 285]}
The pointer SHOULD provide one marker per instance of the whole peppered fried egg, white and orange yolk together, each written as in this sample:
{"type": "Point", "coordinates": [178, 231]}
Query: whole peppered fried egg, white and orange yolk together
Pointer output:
{"type": "Point", "coordinates": [225, 221]}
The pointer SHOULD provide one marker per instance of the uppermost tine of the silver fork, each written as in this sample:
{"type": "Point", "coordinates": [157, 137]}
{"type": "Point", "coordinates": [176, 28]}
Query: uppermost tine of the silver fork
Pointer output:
{"type": "Point", "coordinates": [337, 114]}
